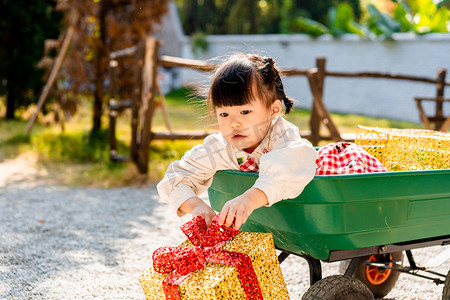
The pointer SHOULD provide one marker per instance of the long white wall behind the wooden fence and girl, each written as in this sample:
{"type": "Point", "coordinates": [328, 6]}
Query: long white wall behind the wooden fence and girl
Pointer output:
{"type": "Point", "coordinates": [408, 54]}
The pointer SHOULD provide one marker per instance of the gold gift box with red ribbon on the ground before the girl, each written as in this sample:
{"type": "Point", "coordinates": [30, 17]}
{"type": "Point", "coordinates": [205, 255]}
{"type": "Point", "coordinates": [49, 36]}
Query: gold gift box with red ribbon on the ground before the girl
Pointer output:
{"type": "Point", "coordinates": [220, 280]}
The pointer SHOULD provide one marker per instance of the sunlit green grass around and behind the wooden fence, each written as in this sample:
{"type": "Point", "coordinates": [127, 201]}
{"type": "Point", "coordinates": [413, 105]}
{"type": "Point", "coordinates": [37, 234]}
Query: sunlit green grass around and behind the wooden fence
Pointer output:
{"type": "Point", "coordinates": [77, 158]}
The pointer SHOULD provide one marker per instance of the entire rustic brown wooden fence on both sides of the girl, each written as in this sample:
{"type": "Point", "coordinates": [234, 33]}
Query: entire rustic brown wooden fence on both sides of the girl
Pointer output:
{"type": "Point", "coordinates": [144, 103]}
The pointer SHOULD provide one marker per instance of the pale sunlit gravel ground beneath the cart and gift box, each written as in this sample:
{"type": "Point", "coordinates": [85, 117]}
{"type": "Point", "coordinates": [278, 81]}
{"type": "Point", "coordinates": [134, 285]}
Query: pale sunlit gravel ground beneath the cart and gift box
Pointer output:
{"type": "Point", "coordinates": [73, 243]}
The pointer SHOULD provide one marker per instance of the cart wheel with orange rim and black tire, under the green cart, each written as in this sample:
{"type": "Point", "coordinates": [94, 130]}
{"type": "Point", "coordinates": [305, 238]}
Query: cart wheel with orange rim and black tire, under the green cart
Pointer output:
{"type": "Point", "coordinates": [379, 280]}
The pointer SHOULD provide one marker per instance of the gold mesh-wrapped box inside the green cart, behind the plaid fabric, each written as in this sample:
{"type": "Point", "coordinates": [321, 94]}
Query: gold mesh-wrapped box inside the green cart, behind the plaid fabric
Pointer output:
{"type": "Point", "coordinates": [406, 149]}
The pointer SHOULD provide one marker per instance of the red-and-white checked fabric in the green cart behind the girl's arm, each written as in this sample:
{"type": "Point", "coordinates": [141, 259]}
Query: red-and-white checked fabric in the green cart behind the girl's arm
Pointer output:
{"type": "Point", "coordinates": [346, 158]}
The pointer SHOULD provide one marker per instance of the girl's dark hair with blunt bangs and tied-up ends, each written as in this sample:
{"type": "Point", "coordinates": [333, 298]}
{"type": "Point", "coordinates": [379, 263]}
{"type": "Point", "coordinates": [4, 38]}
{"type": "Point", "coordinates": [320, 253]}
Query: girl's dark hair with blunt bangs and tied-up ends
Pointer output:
{"type": "Point", "coordinates": [236, 81]}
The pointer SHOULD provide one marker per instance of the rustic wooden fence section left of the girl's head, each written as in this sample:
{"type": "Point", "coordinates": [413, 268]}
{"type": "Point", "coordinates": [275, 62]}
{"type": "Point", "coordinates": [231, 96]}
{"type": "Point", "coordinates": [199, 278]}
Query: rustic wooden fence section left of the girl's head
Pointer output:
{"type": "Point", "coordinates": [143, 103]}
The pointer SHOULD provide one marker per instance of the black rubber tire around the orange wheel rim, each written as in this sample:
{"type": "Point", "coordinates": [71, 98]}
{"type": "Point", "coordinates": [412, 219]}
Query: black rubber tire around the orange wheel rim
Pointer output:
{"type": "Point", "coordinates": [381, 290]}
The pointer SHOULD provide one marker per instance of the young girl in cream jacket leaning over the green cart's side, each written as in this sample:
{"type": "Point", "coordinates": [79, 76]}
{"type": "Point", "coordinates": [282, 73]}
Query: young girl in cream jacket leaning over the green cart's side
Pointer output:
{"type": "Point", "coordinates": [245, 95]}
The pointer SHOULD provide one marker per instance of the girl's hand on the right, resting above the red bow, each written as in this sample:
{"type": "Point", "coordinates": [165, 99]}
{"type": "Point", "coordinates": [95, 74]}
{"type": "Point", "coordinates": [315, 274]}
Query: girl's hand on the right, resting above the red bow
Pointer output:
{"type": "Point", "coordinates": [241, 207]}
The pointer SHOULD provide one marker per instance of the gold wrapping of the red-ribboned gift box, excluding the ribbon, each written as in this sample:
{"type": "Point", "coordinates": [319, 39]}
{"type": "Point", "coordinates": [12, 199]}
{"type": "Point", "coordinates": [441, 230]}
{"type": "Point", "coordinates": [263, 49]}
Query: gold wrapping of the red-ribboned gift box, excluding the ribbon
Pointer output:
{"type": "Point", "coordinates": [217, 281]}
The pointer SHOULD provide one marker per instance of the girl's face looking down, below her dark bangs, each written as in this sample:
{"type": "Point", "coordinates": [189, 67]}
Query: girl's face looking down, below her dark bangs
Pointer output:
{"type": "Point", "coordinates": [244, 126]}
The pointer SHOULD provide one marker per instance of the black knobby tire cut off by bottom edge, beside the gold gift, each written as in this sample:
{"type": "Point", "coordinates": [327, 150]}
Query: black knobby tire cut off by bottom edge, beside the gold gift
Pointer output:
{"type": "Point", "coordinates": [338, 287]}
